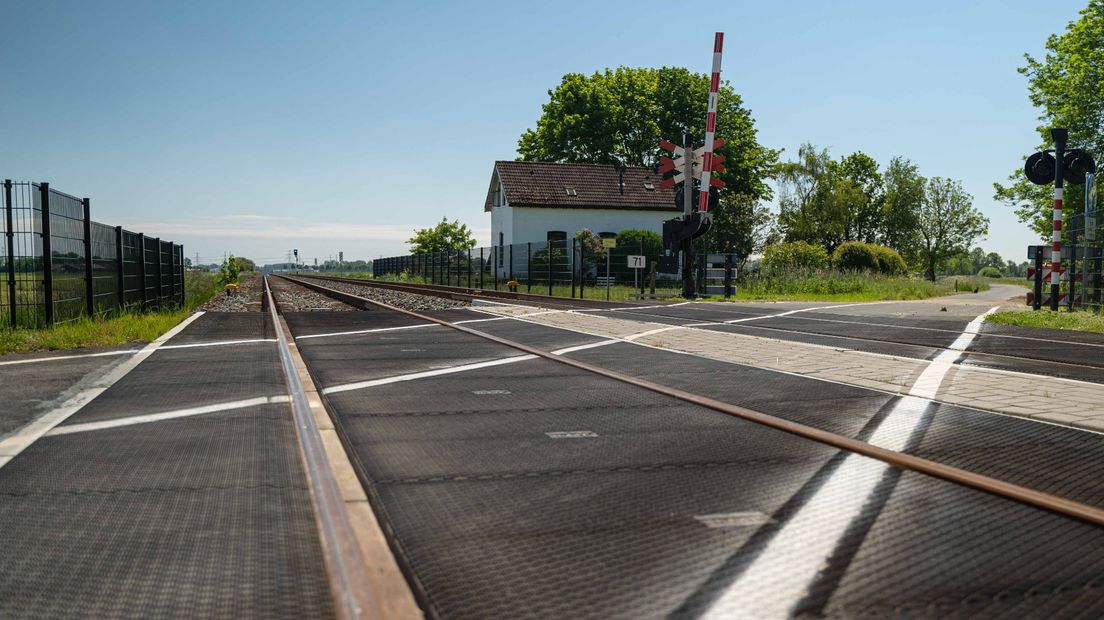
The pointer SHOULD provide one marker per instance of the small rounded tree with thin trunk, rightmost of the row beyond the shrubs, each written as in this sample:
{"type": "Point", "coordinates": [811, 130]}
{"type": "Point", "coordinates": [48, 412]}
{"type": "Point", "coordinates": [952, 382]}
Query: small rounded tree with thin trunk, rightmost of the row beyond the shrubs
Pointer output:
{"type": "Point", "coordinates": [948, 223]}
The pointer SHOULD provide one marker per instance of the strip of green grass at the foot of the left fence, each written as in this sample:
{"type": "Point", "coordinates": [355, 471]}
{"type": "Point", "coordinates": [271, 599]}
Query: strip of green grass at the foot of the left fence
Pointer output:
{"type": "Point", "coordinates": [113, 329]}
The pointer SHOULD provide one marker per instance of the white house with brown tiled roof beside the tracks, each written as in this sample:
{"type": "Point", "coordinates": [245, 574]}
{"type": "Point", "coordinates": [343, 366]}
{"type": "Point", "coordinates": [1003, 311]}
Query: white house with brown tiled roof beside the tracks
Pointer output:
{"type": "Point", "coordinates": [537, 202]}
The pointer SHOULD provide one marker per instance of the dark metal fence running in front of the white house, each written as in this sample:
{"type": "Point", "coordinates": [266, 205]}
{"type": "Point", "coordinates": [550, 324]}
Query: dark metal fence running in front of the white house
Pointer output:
{"type": "Point", "coordinates": [561, 269]}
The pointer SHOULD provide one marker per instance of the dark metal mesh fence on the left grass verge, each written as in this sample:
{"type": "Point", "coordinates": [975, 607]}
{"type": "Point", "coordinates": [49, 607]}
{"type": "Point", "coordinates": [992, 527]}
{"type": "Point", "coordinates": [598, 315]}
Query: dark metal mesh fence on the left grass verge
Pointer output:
{"type": "Point", "coordinates": [60, 265]}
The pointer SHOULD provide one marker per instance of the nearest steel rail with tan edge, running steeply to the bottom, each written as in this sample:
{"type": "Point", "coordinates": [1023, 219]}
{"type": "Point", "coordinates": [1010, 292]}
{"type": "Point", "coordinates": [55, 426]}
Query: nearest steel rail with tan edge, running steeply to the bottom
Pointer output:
{"type": "Point", "coordinates": [354, 593]}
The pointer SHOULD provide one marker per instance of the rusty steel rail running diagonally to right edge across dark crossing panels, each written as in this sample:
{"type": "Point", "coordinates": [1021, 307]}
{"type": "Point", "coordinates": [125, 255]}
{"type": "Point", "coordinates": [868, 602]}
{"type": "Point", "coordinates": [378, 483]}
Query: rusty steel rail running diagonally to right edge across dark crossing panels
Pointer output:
{"type": "Point", "coordinates": [1009, 490]}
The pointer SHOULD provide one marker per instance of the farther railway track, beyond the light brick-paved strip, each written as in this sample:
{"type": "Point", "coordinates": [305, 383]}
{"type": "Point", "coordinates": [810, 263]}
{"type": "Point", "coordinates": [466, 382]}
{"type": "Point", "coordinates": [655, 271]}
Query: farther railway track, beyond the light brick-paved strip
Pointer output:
{"type": "Point", "coordinates": [1038, 365]}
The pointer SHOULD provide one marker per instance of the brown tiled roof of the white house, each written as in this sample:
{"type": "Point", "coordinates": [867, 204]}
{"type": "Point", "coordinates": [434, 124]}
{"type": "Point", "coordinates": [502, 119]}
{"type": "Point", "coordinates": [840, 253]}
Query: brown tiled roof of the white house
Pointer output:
{"type": "Point", "coordinates": [533, 184]}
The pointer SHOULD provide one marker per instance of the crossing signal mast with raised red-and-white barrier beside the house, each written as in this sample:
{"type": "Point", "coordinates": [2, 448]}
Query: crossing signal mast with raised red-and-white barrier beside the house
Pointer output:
{"type": "Point", "coordinates": [680, 172]}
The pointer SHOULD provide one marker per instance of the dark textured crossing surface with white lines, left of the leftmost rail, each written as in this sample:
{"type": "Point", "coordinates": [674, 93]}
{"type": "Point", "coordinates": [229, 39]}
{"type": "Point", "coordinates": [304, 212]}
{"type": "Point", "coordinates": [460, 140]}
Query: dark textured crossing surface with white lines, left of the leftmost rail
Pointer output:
{"type": "Point", "coordinates": [167, 485]}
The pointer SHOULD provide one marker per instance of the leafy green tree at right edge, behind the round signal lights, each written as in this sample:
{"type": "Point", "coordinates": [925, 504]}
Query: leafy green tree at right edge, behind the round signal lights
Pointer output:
{"type": "Point", "coordinates": [1067, 85]}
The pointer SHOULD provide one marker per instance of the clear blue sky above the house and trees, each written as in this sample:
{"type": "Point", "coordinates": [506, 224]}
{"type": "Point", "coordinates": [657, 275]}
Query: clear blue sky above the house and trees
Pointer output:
{"type": "Point", "coordinates": [258, 127]}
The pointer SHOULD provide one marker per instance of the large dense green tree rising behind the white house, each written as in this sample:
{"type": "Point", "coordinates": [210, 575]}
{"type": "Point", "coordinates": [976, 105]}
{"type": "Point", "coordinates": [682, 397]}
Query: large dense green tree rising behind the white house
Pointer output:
{"type": "Point", "coordinates": [619, 116]}
